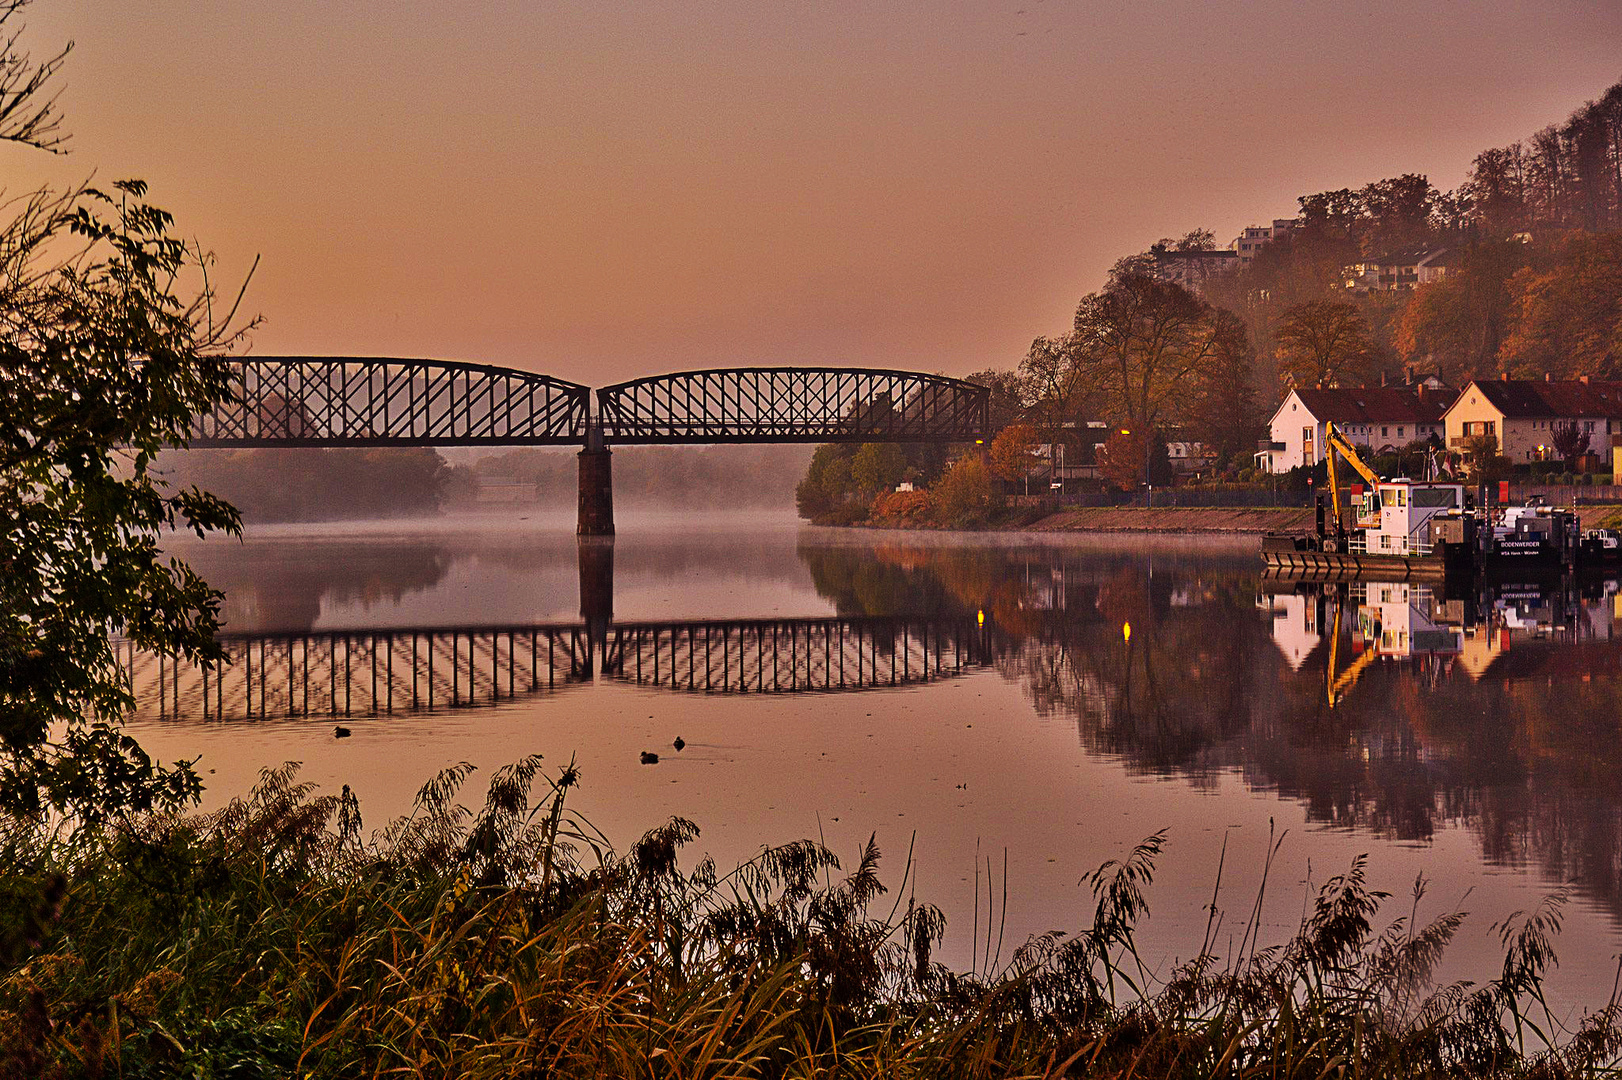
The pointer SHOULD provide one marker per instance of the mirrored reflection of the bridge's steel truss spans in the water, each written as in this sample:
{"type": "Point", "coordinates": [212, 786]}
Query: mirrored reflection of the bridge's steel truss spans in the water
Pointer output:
{"type": "Point", "coordinates": [384, 672]}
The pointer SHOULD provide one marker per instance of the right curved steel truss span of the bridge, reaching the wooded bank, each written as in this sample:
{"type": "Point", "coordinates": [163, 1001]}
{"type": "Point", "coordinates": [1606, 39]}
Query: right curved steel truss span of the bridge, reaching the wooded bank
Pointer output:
{"type": "Point", "coordinates": [794, 406]}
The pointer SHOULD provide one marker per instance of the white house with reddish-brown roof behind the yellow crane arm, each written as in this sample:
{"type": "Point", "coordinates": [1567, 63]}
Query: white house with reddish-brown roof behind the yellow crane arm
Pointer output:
{"type": "Point", "coordinates": [1381, 418]}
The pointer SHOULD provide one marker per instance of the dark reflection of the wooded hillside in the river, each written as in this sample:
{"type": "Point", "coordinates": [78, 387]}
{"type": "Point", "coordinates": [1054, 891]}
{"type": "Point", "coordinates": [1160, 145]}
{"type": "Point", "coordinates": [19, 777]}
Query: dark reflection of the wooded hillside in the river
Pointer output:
{"type": "Point", "coordinates": [1524, 752]}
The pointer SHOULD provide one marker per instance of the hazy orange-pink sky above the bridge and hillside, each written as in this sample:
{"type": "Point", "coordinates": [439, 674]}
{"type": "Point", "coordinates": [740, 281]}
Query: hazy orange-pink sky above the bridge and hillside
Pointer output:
{"type": "Point", "coordinates": [607, 191]}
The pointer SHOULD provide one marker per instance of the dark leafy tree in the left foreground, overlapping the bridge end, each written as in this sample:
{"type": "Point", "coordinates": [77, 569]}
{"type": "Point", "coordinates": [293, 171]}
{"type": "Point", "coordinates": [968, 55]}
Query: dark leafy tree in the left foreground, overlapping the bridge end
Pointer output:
{"type": "Point", "coordinates": [105, 359]}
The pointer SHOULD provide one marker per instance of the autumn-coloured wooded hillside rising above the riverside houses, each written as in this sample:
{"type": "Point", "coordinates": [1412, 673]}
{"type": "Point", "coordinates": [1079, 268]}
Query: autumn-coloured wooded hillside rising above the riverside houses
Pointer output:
{"type": "Point", "coordinates": [1532, 286]}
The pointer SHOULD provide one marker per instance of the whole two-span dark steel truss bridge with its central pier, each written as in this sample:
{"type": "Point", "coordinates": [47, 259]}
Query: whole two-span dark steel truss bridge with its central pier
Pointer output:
{"type": "Point", "coordinates": [385, 401]}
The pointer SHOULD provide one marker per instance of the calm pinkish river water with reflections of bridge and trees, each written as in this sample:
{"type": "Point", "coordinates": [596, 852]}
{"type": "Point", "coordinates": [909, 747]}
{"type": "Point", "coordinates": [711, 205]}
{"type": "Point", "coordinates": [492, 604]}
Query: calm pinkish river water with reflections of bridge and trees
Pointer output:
{"type": "Point", "coordinates": [1010, 709]}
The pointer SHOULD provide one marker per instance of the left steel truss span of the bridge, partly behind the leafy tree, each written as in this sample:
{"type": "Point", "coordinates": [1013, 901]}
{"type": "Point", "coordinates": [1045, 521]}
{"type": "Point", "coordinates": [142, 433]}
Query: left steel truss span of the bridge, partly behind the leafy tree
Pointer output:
{"type": "Point", "coordinates": [380, 401]}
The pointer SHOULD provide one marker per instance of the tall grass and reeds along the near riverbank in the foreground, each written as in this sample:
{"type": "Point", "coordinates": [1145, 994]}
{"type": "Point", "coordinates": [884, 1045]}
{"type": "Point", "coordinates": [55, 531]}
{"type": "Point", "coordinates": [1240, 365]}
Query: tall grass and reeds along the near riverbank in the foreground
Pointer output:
{"type": "Point", "coordinates": [277, 940]}
